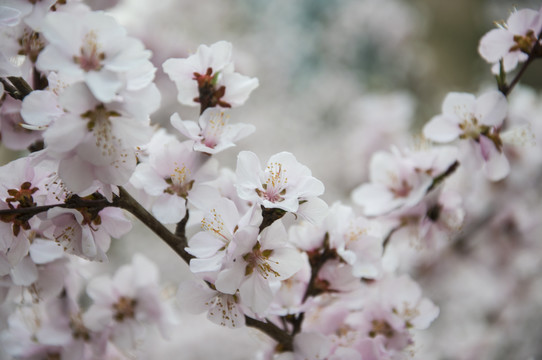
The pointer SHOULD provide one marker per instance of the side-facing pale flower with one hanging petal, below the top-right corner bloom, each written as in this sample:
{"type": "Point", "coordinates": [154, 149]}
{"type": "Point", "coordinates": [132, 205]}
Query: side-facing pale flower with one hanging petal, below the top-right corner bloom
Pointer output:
{"type": "Point", "coordinates": [478, 119]}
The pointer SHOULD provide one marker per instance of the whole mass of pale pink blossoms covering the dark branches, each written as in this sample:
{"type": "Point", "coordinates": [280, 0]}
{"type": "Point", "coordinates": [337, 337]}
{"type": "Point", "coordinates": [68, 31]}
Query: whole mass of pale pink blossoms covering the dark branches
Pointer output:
{"type": "Point", "coordinates": [324, 281]}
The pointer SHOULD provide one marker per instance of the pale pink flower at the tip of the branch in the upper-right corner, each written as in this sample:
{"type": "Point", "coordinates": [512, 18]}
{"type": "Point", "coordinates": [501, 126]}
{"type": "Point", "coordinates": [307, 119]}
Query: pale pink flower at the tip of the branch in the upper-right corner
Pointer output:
{"type": "Point", "coordinates": [513, 41]}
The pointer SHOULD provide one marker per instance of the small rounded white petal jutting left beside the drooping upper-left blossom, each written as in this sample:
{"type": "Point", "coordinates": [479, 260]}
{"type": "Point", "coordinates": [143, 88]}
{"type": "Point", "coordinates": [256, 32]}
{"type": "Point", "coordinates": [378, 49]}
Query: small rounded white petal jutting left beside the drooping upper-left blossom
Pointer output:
{"type": "Point", "coordinates": [40, 108]}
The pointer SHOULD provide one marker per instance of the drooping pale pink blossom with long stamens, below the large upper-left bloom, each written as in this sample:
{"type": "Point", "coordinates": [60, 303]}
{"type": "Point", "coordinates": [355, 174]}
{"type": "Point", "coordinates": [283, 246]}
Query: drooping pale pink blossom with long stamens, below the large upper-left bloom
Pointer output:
{"type": "Point", "coordinates": [95, 141]}
